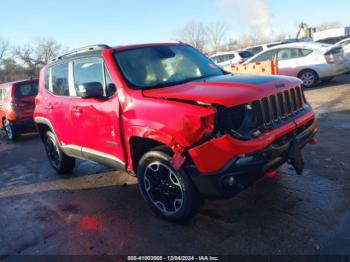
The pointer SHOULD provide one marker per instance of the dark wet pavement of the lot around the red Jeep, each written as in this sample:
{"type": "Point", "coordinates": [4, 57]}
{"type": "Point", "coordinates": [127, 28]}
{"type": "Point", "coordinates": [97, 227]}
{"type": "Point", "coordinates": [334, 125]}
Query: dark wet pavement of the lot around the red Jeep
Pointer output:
{"type": "Point", "coordinates": [99, 211]}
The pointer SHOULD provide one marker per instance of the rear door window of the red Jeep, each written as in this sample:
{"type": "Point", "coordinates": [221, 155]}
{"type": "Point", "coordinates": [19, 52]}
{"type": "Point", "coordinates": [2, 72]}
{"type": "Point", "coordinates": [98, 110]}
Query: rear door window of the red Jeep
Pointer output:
{"type": "Point", "coordinates": [60, 84]}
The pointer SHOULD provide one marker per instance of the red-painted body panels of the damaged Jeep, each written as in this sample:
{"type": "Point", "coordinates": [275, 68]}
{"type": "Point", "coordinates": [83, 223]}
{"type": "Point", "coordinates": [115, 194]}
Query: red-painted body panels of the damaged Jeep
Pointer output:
{"type": "Point", "coordinates": [158, 115]}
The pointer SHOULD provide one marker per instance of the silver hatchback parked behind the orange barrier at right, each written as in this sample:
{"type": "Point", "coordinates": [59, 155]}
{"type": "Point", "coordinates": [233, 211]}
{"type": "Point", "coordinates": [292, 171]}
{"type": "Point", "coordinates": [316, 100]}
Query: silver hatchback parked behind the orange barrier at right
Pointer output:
{"type": "Point", "coordinates": [310, 62]}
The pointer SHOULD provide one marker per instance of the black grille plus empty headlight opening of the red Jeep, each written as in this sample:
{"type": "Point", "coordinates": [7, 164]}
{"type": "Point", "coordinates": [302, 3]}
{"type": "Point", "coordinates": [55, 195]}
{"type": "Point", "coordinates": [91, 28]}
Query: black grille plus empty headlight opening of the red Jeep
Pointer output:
{"type": "Point", "coordinates": [250, 120]}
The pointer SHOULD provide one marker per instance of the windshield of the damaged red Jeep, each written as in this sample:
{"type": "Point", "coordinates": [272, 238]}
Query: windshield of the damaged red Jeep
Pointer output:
{"type": "Point", "coordinates": [164, 65]}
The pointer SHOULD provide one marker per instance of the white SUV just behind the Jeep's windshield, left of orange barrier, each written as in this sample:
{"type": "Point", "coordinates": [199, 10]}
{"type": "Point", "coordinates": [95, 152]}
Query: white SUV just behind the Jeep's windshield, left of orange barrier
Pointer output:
{"type": "Point", "coordinates": [224, 59]}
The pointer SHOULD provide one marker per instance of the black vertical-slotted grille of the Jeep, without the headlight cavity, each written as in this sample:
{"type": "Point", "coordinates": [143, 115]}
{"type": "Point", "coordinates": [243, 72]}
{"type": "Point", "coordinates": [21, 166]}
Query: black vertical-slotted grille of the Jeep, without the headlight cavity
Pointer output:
{"type": "Point", "coordinates": [278, 106]}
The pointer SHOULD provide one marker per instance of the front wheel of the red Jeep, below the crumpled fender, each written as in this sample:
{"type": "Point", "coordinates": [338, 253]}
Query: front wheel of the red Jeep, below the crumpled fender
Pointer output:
{"type": "Point", "coordinates": [170, 193]}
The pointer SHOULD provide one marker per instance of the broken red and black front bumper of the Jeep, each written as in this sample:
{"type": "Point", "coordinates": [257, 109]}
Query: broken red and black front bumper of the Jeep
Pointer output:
{"type": "Point", "coordinates": [249, 160]}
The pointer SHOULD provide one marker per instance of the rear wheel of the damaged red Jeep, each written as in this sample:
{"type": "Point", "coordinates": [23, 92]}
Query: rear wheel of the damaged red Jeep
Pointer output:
{"type": "Point", "coordinates": [62, 163]}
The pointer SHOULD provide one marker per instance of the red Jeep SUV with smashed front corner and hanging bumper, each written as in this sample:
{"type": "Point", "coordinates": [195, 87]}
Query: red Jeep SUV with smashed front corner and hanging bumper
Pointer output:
{"type": "Point", "coordinates": [167, 113]}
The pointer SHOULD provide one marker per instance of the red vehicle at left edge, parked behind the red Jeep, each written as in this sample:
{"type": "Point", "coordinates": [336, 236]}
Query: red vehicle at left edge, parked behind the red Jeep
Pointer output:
{"type": "Point", "coordinates": [17, 107]}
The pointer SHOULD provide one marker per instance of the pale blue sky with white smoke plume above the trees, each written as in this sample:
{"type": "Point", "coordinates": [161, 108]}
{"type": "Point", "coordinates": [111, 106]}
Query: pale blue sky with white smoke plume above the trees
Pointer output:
{"type": "Point", "coordinates": [76, 23]}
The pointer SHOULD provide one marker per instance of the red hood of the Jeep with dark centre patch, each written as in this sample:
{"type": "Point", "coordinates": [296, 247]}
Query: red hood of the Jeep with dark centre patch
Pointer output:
{"type": "Point", "coordinates": [226, 90]}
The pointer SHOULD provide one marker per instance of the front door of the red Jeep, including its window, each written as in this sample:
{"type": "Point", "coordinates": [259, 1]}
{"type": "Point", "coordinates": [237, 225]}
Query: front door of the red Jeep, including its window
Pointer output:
{"type": "Point", "coordinates": [96, 121]}
